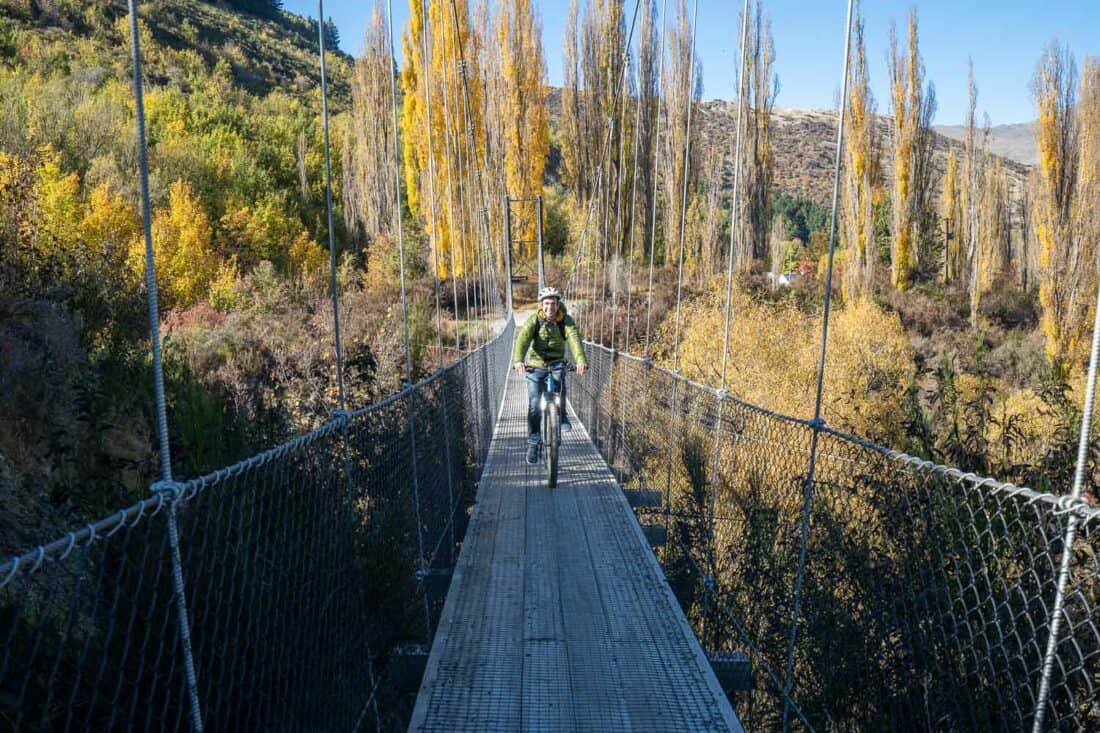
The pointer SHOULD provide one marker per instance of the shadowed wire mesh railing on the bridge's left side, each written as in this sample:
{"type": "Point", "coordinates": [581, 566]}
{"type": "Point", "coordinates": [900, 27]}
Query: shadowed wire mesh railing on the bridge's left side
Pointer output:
{"type": "Point", "coordinates": [302, 568]}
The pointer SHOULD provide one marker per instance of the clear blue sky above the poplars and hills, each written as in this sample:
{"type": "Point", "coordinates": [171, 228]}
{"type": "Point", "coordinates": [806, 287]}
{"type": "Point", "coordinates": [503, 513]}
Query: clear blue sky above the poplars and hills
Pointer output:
{"type": "Point", "coordinates": [1004, 39]}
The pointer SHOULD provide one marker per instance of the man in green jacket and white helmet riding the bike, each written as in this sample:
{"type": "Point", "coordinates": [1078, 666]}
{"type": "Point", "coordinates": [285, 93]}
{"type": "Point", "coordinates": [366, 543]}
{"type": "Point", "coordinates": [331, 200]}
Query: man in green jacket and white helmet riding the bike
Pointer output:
{"type": "Point", "coordinates": [542, 344]}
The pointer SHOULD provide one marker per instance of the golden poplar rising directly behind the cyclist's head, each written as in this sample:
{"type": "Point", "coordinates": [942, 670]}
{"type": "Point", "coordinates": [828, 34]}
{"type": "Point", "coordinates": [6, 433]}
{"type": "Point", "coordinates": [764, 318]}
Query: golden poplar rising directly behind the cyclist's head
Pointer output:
{"type": "Point", "coordinates": [525, 114]}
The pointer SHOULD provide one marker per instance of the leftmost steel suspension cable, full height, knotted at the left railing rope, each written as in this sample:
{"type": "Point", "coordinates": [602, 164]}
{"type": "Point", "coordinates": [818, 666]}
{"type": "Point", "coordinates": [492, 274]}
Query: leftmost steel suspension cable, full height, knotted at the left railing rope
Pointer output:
{"type": "Point", "coordinates": [167, 485]}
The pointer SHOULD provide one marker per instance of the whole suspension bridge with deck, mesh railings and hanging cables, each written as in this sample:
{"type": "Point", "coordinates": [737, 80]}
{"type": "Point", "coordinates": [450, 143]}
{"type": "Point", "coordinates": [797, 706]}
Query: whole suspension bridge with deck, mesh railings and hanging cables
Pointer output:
{"type": "Point", "coordinates": [848, 586]}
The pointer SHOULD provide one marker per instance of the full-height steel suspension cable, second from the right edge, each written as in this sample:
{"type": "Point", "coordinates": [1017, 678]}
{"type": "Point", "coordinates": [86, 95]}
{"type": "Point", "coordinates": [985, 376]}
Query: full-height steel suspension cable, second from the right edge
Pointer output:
{"type": "Point", "coordinates": [818, 423]}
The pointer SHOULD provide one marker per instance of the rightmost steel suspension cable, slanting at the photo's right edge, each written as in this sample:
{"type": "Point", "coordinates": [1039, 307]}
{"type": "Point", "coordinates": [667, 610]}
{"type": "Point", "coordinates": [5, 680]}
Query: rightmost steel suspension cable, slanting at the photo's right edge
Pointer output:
{"type": "Point", "coordinates": [1072, 526]}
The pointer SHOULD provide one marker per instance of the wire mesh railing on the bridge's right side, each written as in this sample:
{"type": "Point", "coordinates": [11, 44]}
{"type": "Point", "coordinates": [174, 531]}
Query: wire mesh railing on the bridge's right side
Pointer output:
{"type": "Point", "coordinates": [927, 594]}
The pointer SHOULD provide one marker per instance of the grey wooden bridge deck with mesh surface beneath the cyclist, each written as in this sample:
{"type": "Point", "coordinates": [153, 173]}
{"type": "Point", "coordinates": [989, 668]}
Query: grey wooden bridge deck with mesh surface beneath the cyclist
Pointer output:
{"type": "Point", "coordinates": [559, 617]}
